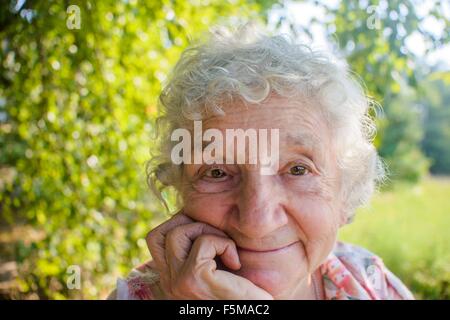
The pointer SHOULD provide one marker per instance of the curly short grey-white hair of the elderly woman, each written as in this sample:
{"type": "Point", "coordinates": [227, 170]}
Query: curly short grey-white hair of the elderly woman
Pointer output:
{"type": "Point", "coordinates": [249, 65]}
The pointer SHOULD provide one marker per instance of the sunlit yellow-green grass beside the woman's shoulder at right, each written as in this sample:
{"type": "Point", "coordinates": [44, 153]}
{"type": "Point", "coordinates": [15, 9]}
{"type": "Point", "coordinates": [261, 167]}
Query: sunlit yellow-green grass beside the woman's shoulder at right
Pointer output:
{"type": "Point", "coordinates": [408, 226]}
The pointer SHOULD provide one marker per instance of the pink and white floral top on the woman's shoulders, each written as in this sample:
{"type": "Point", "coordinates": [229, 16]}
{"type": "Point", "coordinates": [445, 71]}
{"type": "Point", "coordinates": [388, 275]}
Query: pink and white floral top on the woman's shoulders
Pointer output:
{"type": "Point", "coordinates": [349, 273]}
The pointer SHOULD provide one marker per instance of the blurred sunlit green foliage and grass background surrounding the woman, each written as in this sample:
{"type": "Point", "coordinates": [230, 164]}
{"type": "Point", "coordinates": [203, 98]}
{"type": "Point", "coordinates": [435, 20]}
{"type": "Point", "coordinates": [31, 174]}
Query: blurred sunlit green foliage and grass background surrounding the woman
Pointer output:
{"type": "Point", "coordinates": [78, 91]}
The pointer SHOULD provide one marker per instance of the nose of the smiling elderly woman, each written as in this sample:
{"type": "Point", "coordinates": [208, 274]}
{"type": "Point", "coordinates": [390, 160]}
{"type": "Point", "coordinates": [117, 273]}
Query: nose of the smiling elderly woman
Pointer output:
{"type": "Point", "coordinates": [261, 210]}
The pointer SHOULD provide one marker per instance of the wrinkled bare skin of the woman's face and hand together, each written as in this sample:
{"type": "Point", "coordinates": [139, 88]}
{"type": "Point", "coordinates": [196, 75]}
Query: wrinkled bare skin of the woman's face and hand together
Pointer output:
{"type": "Point", "coordinates": [271, 232]}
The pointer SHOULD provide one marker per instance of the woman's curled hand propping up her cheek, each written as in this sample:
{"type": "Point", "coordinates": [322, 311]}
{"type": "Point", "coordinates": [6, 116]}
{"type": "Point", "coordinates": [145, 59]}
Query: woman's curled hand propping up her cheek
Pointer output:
{"type": "Point", "coordinates": [184, 251]}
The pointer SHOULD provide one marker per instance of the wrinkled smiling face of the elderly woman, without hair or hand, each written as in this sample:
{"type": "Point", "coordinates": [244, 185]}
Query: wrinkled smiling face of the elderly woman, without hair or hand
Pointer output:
{"type": "Point", "coordinates": [284, 224]}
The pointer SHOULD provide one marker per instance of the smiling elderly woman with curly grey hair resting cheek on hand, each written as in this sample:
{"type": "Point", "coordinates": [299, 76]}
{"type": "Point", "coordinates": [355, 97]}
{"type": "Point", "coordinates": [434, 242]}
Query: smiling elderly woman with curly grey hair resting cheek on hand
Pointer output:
{"type": "Point", "coordinates": [247, 233]}
